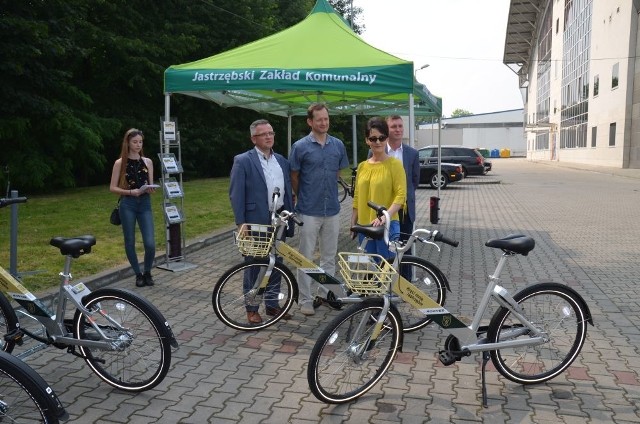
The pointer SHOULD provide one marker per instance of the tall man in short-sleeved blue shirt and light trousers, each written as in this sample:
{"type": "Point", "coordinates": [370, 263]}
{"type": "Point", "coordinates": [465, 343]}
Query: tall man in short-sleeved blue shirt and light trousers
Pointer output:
{"type": "Point", "coordinates": [316, 161]}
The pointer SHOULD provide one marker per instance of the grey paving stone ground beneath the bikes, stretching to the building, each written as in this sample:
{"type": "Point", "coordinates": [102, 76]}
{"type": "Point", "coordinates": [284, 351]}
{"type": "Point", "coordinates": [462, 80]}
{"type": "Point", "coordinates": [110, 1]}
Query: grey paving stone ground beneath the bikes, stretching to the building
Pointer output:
{"type": "Point", "coordinates": [587, 236]}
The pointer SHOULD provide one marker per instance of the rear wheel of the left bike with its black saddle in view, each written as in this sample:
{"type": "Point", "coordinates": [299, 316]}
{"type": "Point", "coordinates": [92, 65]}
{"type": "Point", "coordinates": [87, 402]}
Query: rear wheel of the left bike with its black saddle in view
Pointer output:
{"type": "Point", "coordinates": [140, 352]}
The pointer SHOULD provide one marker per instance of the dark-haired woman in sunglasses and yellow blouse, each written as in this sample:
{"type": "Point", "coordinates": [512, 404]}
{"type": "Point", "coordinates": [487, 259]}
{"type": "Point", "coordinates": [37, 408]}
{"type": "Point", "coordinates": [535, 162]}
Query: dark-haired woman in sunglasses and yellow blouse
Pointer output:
{"type": "Point", "coordinates": [380, 179]}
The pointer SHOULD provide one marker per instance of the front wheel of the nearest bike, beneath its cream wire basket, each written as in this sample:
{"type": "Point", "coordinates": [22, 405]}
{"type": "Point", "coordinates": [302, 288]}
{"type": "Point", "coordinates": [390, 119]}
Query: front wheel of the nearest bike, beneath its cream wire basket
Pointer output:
{"type": "Point", "coordinates": [343, 364]}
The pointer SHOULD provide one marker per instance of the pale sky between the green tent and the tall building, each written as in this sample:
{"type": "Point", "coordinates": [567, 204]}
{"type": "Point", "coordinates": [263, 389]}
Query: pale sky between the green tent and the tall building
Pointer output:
{"type": "Point", "coordinates": [462, 41]}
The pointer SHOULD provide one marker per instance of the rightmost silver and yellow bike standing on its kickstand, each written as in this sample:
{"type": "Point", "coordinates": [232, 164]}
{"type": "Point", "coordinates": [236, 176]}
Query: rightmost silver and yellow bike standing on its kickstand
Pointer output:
{"type": "Point", "coordinates": [533, 336]}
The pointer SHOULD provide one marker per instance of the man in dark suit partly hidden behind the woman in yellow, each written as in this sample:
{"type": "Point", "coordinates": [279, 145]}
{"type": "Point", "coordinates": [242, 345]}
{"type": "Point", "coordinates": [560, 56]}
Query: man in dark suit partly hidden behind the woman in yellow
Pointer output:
{"type": "Point", "coordinates": [411, 163]}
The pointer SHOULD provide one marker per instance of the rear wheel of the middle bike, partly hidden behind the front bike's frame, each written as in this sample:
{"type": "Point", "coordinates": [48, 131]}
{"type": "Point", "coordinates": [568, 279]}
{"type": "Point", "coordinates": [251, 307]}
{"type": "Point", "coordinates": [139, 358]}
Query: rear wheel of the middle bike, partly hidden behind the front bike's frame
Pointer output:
{"type": "Point", "coordinates": [429, 279]}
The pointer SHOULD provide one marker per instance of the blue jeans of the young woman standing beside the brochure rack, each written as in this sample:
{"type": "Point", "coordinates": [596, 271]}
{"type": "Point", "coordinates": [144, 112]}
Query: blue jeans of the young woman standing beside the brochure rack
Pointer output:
{"type": "Point", "coordinates": [138, 209]}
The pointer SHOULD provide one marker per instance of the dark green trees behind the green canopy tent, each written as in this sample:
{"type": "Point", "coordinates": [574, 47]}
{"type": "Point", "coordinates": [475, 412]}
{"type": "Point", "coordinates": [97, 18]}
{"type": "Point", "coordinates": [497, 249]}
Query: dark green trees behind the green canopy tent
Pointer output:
{"type": "Point", "coordinates": [78, 73]}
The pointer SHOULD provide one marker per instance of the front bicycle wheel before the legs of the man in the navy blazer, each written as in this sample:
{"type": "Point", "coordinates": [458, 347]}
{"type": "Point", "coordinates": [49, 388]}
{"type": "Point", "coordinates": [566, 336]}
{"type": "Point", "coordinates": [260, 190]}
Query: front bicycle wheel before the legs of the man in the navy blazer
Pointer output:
{"type": "Point", "coordinates": [230, 303]}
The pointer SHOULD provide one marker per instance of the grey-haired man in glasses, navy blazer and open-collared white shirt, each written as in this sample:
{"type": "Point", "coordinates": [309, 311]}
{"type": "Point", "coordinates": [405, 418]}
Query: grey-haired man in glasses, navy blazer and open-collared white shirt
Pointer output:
{"type": "Point", "coordinates": [254, 176]}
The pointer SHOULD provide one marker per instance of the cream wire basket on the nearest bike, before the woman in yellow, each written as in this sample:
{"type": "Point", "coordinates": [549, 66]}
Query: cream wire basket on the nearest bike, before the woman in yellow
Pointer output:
{"type": "Point", "coordinates": [364, 273]}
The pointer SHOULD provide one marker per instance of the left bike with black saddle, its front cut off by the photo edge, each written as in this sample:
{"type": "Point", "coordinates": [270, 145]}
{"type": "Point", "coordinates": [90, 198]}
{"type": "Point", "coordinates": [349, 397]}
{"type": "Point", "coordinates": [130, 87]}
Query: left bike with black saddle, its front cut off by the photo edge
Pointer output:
{"type": "Point", "coordinates": [123, 338]}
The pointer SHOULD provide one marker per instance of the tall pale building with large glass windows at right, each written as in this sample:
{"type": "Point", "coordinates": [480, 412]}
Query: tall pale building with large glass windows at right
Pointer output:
{"type": "Point", "coordinates": [576, 61]}
